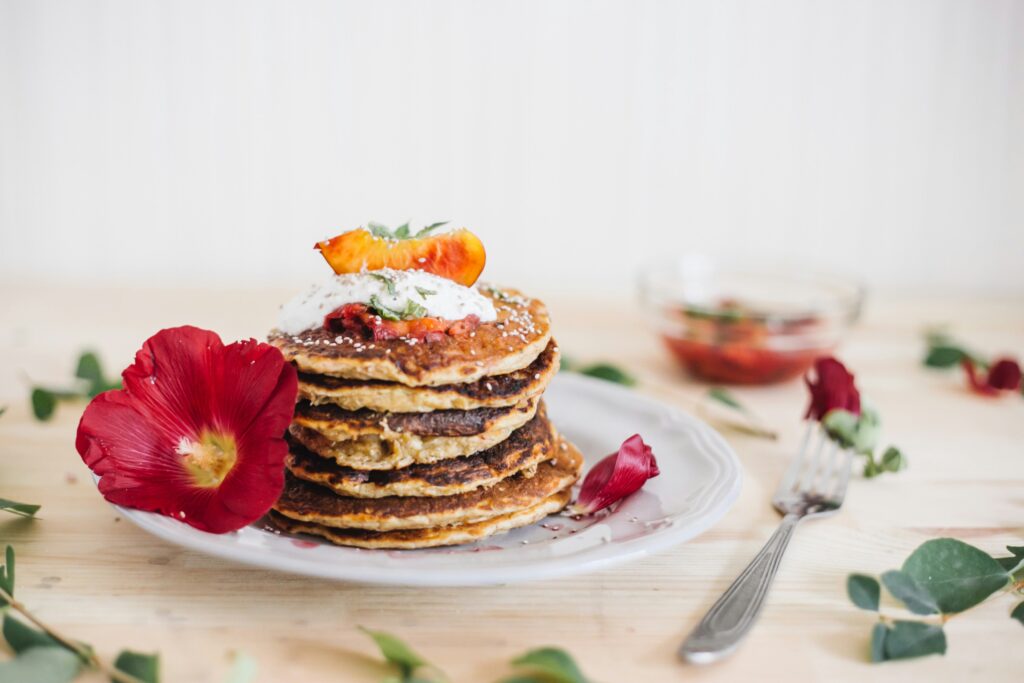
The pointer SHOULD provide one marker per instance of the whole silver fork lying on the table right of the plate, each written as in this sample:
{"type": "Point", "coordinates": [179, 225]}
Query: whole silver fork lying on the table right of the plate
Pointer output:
{"type": "Point", "coordinates": [814, 487]}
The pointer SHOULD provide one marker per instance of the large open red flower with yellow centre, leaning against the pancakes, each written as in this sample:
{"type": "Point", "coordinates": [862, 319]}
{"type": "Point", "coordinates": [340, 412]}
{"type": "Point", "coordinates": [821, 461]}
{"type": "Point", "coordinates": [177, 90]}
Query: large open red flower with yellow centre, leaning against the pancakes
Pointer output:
{"type": "Point", "coordinates": [197, 433]}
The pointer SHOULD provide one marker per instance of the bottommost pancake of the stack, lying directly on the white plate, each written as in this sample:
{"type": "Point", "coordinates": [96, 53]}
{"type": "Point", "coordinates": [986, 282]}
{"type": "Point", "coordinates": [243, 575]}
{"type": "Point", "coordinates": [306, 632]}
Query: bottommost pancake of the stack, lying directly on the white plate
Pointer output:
{"type": "Point", "coordinates": [428, 538]}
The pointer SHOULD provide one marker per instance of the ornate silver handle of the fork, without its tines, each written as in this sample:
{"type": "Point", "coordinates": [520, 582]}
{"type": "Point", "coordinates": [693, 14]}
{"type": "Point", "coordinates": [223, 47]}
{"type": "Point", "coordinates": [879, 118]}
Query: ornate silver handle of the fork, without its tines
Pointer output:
{"type": "Point", "coordinates": [729, 620]}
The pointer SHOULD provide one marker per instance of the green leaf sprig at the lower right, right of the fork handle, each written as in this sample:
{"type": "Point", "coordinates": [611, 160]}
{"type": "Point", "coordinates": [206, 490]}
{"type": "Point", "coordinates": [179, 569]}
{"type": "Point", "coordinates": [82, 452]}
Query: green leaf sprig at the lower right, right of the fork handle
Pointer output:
{"type": "Point", "coordinates": [943, 578]}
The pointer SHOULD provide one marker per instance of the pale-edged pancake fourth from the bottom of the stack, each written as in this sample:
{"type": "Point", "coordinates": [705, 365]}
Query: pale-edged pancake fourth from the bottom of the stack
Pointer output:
{"type": "Point", "coordinates": [392, 450]}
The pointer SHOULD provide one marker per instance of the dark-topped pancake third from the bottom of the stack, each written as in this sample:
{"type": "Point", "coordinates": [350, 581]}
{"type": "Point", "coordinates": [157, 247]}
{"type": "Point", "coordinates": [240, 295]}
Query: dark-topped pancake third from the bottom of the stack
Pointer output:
{"type": "Point", "coordinates": [522, 452]}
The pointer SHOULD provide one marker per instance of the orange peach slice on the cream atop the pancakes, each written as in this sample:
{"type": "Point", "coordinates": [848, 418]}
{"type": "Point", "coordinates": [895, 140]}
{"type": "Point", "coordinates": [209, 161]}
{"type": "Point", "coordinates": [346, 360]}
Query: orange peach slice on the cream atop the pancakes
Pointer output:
{"type": "Point", "coordinates": [457, 255]}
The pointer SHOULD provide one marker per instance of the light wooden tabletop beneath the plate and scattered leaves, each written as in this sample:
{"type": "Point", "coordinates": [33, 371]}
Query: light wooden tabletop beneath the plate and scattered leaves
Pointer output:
{"type": "Point", "coordinates": [101, 579]}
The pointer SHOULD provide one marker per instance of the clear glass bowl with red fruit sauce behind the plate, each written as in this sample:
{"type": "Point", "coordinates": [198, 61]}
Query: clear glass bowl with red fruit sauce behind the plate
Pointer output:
{"type": "Point", "coordinates": [739, 325]}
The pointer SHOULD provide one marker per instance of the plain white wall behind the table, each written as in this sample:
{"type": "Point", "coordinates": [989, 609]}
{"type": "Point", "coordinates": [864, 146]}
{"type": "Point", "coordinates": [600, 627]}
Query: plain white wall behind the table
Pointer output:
{"type": "Point", "coordinates": [212, 143]}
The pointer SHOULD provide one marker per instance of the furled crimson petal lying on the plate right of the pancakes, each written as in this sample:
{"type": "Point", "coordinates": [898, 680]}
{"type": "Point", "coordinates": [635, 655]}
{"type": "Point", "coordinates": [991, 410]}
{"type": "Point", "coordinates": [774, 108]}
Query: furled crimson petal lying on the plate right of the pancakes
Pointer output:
{"type": "Point", "coordinates": [617, 477]}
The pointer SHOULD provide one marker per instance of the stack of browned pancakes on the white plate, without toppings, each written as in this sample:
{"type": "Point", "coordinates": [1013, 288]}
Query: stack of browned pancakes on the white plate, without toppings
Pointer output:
{"type": "Point", "coordinates": [411, 444]}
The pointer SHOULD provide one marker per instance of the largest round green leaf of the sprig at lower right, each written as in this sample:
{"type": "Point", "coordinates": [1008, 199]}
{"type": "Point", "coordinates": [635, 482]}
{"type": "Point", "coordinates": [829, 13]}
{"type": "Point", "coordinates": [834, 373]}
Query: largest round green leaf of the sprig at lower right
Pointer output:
{"type": "Point", "coordinates": [957, 575]}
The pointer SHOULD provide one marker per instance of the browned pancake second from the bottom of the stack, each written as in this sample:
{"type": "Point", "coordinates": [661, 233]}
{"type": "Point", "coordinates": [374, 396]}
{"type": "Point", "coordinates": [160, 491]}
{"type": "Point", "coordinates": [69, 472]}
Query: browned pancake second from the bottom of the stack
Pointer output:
{"type": "Point", "coordinates": [308, 502]}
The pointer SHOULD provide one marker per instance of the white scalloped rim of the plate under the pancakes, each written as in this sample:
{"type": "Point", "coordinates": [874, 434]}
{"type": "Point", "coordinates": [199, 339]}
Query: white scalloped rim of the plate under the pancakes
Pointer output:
{"type": "Point", "coordinates": [236, 547]}
